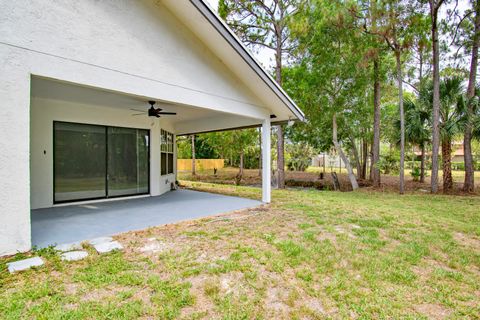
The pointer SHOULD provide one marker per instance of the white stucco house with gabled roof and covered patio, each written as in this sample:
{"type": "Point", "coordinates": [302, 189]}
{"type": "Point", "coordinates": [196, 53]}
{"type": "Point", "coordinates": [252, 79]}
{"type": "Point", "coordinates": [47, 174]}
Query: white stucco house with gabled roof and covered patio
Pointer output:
{"type": "Point", "coordinates": [82, 83]}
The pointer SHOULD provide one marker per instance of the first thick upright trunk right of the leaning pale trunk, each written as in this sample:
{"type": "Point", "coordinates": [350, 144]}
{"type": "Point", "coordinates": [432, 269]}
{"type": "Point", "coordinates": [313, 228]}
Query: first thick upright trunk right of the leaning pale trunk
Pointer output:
{"type": "Point", "coordinates": [375, 172]}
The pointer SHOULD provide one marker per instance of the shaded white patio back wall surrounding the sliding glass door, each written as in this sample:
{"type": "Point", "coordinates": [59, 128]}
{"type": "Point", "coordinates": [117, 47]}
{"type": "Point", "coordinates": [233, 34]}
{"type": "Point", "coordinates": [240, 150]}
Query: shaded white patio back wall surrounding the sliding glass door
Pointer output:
{"type": "Point", "coordinates": [45, 111]}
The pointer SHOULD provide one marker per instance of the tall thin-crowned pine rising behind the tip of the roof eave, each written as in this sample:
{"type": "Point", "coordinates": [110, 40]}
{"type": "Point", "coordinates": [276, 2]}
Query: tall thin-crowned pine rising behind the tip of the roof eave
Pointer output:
{"type": "Point", "coordinates": [264, 24]}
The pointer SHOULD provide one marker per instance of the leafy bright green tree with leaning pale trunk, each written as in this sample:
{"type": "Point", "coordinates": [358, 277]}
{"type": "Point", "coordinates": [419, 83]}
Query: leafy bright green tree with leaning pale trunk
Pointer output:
{"type": "Point", "coordinates": [331, 78]}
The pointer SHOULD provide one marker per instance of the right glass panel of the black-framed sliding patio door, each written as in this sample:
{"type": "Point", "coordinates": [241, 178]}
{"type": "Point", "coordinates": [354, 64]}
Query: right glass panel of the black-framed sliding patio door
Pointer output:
{"type": "Point", "coordinates": [127, 161]}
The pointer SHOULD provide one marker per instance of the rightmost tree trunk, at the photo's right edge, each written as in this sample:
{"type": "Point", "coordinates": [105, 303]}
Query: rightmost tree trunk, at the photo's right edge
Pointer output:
{"type": "Point", "coordinates": [469, 183]}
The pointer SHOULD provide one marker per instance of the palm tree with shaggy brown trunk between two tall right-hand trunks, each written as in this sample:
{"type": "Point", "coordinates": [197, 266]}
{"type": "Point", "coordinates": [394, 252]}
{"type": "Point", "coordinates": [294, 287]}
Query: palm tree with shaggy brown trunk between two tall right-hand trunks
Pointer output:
{"type": "Point", "coordinates": [452, 119]}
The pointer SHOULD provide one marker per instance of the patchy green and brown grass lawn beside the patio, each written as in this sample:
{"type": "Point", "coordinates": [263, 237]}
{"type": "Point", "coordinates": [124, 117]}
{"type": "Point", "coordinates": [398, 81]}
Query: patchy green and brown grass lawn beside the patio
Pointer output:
{"type": "Point", "coordinates": [309, 255]}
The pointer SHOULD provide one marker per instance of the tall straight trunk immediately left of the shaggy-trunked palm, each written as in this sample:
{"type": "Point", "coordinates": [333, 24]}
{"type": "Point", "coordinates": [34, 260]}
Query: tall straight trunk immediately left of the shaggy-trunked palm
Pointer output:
{"type": "Point", "coordinates": [436, 96]}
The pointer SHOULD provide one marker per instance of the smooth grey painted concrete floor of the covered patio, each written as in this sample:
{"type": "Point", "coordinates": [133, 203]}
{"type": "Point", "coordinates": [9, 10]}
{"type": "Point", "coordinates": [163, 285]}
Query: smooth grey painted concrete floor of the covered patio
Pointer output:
{"type": "Point", "coordinates": [80, 222]}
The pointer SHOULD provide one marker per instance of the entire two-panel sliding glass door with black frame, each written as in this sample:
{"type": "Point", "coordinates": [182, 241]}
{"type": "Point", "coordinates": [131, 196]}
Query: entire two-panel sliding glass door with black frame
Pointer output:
{"type": "Point", "coordinates": [92, 162]}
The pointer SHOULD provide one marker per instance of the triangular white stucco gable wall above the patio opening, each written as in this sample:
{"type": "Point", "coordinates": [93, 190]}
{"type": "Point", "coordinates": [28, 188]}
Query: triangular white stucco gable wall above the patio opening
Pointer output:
{"type": "Point", "coordinates": [89, 42]}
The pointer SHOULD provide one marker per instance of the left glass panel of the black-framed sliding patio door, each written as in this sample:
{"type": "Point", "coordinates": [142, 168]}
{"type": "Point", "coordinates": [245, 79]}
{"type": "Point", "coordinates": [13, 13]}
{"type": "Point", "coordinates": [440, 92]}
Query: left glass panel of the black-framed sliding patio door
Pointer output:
{"type": "Point", "coordinates": [79, 161]}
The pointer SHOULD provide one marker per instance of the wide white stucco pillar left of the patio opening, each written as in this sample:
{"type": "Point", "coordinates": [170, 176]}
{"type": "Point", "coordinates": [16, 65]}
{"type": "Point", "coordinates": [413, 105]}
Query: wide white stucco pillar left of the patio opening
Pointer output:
{"type": "Point", "coordinates": [15, 156]}
